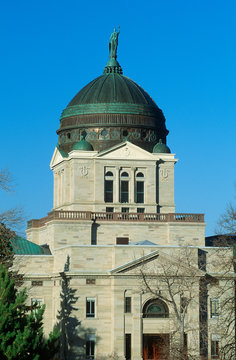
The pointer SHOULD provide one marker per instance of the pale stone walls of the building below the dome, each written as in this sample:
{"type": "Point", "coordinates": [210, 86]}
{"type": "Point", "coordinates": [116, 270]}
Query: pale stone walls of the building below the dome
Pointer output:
{"type": "Point", "coordinates": [104, 253]}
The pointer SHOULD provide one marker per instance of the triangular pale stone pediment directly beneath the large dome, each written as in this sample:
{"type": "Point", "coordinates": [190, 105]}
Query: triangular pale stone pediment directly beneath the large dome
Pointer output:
{"type": "Point", "coordinates": [126, 150]}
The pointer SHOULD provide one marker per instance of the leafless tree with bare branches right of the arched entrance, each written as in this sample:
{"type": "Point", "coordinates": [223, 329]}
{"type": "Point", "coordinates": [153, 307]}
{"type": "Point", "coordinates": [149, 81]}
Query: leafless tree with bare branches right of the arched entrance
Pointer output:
{"type": "Point", "coordinates": [176, 282]}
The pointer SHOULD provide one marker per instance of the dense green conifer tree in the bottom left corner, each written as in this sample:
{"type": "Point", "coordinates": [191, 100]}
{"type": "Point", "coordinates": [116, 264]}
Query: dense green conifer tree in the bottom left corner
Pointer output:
{"type": "Point", "coordinates": [21, 327]}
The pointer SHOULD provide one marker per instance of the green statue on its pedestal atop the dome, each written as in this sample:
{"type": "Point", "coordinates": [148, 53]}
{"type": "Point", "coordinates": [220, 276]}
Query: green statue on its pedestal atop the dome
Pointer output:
{"type": "Point", "coordinates": [113, 66]}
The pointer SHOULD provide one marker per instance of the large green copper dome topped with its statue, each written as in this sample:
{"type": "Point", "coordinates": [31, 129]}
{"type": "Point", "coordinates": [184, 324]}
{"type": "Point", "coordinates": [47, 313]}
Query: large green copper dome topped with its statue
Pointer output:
{"type": "Point", "coordinates": [110, 109]}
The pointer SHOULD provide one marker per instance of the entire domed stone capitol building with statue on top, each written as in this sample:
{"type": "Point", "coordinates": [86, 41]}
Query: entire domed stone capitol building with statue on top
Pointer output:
{"type": "Point", "coordinates": [121, 272]}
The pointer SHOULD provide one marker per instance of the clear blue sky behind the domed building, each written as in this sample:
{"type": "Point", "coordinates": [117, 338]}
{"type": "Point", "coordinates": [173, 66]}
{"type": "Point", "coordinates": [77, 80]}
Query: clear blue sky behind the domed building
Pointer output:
{"type": "Point", "coordinates": [181, 52]}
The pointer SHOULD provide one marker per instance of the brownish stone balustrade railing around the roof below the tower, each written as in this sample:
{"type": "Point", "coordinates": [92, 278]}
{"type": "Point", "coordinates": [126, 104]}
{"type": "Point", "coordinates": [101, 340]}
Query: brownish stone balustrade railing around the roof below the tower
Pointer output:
{"type": "Point", "coordinates": [114, 216]}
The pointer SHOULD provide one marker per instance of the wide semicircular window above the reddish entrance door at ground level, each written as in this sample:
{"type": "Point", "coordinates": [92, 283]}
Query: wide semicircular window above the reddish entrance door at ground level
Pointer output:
{"type": "Point", "coordinates": [155, 308]}
